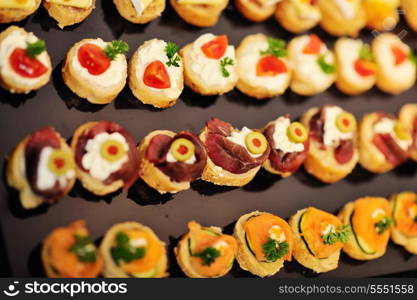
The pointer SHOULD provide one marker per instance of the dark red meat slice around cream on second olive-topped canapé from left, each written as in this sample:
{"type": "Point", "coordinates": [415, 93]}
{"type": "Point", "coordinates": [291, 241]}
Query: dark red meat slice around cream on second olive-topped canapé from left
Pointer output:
{"type": "Point", "coordinates": [128, 172]}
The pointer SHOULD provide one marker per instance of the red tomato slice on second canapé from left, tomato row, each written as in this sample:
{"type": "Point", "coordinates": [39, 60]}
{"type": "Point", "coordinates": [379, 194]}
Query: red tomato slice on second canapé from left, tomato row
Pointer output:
{"type": "Point", "coordinates": [92, 58]}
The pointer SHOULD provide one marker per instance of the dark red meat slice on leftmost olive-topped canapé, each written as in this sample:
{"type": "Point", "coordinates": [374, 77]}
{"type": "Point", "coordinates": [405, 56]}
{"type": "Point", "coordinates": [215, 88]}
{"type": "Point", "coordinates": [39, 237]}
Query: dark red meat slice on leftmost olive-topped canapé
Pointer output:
{"type": "Point", "coordinates": [45, 137]}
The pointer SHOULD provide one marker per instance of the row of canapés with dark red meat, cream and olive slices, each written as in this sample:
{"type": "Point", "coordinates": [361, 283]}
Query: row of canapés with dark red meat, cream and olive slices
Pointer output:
{"type": "Point", "coordinates": [104, 157]}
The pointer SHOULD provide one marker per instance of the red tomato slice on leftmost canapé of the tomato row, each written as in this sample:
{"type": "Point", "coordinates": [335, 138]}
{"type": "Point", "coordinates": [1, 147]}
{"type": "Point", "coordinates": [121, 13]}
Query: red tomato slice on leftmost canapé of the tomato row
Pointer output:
{"type": "Point", "coordinates": [25, 65]}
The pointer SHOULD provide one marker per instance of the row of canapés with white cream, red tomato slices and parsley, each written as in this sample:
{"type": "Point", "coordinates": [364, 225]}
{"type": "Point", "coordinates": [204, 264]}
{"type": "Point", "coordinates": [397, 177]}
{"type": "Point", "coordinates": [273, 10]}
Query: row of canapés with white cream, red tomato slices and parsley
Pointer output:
{"type": "Point", "coordinates": [261, 67]}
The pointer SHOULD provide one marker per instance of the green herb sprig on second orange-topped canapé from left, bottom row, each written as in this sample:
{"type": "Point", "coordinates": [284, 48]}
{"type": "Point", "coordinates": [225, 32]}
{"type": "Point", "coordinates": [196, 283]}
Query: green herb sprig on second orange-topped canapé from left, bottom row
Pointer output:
{"type": "Point", "coordinates": [123, 251]}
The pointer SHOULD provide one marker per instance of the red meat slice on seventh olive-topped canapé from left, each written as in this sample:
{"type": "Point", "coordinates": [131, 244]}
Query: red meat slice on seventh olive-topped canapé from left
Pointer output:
{"type": "Point", "coordinates": [387, 145]}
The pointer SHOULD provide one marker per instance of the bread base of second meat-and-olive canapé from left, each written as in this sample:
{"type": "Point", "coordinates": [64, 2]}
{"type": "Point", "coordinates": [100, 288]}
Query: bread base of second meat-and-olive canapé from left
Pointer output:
{"type": "Point", "coordinates": [90, 183]}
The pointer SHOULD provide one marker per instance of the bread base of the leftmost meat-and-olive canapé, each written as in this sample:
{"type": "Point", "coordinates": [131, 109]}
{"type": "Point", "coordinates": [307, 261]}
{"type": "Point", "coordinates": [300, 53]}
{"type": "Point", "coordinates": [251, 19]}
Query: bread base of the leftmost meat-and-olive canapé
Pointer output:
{"type": "Point", "coordinates": [16, 176]}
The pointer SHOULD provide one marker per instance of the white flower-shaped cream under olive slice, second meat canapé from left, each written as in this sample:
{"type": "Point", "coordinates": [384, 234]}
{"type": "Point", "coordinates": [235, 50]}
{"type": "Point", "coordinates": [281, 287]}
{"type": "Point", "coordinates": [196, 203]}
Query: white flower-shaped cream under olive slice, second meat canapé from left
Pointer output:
{"type": "Point", "coordinates": [95, 163]}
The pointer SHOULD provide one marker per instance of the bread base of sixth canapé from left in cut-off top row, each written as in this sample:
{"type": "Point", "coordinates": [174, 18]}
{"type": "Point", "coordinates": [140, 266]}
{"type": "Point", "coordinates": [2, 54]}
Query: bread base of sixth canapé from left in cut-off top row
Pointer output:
{"type": "Point", "coordinates": [287, 15]}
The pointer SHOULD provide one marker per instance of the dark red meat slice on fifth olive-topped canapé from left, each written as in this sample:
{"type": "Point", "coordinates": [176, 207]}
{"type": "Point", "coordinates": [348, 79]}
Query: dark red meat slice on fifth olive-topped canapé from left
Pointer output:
{"type": "Point", "coordinates": [281, 161]}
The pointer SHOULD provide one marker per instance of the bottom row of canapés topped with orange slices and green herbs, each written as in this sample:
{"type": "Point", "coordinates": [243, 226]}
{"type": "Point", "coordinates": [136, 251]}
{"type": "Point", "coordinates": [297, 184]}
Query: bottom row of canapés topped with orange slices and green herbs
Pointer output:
{"type": "Point", "coordinates": [261, 242]}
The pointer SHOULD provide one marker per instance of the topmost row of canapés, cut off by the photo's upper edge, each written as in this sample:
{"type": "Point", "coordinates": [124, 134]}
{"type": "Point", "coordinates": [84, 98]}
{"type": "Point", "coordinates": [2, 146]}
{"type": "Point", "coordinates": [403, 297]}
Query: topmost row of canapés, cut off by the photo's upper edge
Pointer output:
{"type": "Point", "coordinates": [338, 17]}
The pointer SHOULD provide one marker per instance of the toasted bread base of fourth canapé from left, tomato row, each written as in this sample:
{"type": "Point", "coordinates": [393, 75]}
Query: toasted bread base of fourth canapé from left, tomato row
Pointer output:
{"type": "Point", "coordinates": [193, 81]}
